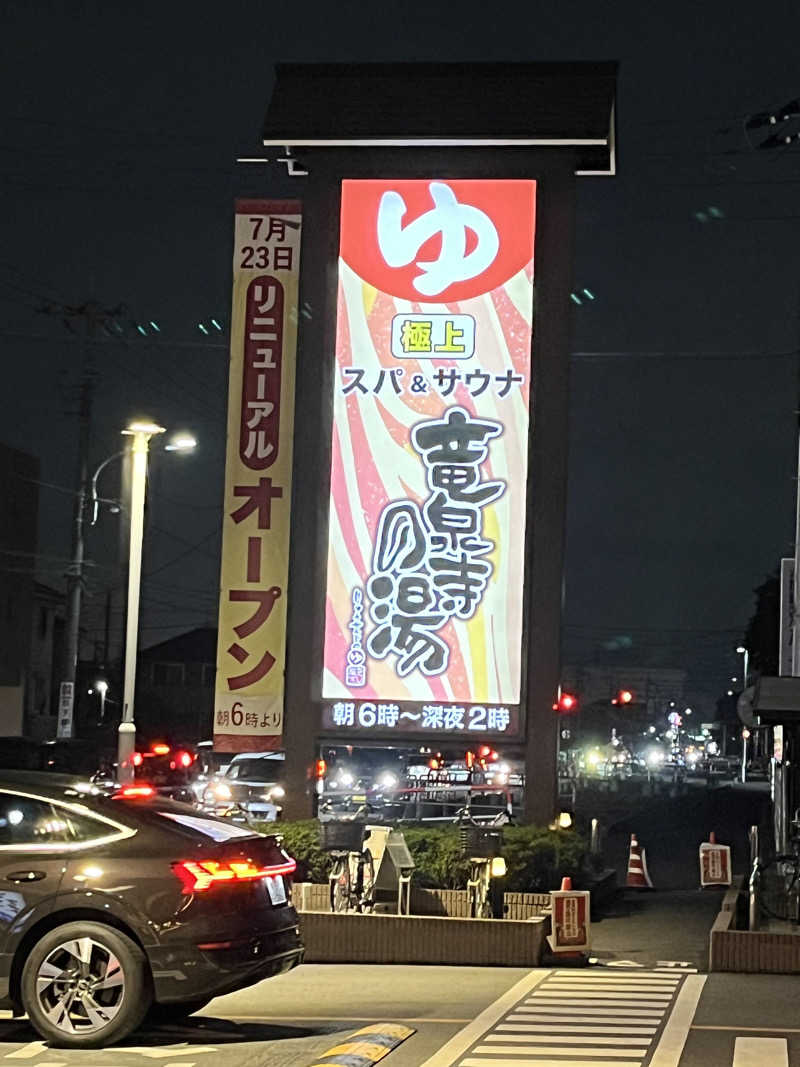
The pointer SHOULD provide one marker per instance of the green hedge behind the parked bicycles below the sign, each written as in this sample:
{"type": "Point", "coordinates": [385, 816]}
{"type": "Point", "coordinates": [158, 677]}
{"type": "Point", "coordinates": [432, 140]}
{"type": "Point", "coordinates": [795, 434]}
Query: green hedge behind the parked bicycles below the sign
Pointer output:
{"type": "Point", "coordinates": [537, 859]}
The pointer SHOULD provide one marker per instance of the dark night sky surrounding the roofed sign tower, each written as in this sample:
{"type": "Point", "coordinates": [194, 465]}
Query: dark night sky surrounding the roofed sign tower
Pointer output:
{"type": "Point", "coordinates": [120, 133]}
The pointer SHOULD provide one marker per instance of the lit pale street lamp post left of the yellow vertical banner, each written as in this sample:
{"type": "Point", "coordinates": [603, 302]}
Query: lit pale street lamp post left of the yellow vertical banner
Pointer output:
{"type": "Point", "coordinates": [141, 433]}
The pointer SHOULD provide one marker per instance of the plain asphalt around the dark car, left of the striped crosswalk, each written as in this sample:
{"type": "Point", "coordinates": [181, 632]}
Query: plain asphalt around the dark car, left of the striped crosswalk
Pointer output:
{"type": "Point", "coordinates": [292, 1021]}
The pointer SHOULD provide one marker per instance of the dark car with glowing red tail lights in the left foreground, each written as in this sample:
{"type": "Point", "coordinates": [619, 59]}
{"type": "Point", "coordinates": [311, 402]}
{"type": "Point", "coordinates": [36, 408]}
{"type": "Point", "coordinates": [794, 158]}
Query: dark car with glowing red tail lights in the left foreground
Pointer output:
{"type": "Point", "coordinates": [116, 904]}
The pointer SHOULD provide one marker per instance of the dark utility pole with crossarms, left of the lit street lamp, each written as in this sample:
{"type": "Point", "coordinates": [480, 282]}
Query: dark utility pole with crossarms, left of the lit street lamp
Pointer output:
{"type": "Point", "coordinates": [92, 316]}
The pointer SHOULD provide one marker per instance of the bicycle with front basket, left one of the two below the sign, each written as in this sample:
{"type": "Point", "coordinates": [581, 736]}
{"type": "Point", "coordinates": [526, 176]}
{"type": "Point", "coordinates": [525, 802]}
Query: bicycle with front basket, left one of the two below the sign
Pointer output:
{"type": "Point", "coordinates": [353, 875]}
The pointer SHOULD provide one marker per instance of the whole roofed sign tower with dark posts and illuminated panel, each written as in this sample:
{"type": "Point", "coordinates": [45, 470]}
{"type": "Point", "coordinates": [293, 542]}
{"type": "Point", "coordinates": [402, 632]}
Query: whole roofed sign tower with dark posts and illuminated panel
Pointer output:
{"type": "Point", "coordinates": [428, 489]}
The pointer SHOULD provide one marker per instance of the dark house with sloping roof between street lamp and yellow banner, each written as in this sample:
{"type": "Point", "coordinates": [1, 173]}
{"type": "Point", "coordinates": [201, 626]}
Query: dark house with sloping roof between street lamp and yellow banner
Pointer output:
{"type": "Point", "coordinates": [175, 687]}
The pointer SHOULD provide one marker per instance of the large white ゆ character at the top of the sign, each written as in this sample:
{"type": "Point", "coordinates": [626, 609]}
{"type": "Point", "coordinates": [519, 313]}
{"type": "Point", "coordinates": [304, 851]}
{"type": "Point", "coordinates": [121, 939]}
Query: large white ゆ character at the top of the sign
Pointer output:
{"type": "Point", "coordinates": [399, 245]}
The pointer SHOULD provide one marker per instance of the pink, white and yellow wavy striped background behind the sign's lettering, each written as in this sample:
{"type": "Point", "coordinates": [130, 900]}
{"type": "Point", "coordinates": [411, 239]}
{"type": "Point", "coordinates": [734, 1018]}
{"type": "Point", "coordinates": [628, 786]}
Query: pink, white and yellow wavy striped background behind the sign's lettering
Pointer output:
{"type": "Point", "coordinates": [374, 463]}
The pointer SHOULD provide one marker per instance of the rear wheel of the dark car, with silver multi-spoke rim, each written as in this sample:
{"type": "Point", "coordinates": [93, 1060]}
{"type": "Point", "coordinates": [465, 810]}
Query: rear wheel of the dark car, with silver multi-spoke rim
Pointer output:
{"type": "Point", "coordinates": [86, 985]}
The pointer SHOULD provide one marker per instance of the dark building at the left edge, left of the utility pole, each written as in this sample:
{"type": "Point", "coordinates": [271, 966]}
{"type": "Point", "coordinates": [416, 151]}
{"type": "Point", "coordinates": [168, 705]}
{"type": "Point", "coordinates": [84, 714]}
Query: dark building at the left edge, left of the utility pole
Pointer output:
{"type": "Point", "coordinates": [20, 475]}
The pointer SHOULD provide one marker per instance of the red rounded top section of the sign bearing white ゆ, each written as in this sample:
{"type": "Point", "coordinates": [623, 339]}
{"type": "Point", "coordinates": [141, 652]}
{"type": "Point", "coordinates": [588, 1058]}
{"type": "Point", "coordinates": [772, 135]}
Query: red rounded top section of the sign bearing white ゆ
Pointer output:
{"type": "Point", "coordinates": [510, 205]}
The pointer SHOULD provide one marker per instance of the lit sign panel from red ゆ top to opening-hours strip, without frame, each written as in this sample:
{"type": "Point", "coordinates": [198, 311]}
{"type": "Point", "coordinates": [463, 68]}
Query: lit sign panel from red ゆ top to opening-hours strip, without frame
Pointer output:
{"type": "Point", "coordinates": [429, 473]}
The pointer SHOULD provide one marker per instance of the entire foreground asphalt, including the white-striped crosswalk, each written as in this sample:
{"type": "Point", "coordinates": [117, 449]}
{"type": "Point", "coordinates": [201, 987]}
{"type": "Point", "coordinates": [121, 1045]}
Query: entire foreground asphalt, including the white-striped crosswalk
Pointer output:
{"type": "Point", "coordinates": [472, 1017]}
